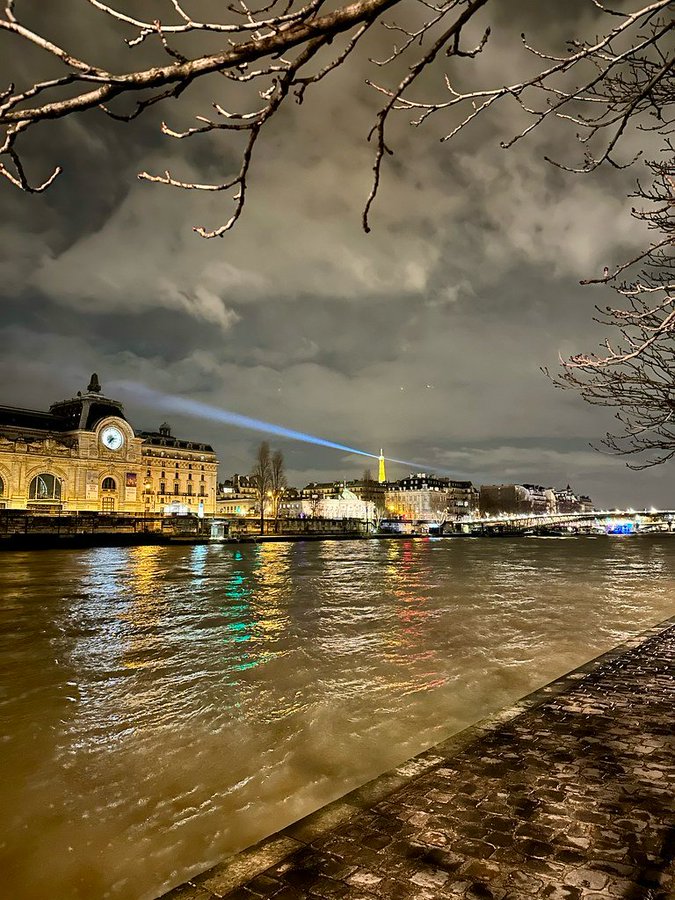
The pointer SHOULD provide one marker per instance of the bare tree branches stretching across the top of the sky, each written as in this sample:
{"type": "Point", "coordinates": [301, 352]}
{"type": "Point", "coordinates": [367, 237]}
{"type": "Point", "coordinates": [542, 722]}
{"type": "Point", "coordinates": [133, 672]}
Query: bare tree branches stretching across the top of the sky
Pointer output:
{"type": "Point", "coordinates": [622, 78]}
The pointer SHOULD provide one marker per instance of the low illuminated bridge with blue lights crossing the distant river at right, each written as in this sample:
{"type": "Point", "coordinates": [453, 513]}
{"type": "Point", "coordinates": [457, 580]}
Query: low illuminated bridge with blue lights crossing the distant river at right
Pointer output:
{"type": "Point", "coordinates": [616, 521]}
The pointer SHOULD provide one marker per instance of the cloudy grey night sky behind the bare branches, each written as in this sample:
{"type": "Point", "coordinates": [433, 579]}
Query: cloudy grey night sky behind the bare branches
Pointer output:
{"type": "Point", "coordinates": [425, 337]}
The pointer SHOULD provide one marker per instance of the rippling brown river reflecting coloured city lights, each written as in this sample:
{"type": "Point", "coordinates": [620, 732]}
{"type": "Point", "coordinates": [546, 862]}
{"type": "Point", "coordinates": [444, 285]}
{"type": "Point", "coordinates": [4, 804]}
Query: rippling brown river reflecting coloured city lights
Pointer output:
{"type": "Point", "coordinates": [163, 707]}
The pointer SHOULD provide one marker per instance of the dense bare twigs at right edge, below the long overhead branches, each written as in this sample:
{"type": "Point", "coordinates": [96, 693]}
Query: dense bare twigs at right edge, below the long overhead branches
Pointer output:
{"type": "Point", "coordinates": [634, 373]}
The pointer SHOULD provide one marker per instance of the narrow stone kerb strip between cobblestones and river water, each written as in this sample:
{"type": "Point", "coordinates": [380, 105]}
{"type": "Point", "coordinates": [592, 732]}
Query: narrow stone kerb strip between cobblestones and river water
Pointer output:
{"type": "Point", "coordinates": [226, 877]}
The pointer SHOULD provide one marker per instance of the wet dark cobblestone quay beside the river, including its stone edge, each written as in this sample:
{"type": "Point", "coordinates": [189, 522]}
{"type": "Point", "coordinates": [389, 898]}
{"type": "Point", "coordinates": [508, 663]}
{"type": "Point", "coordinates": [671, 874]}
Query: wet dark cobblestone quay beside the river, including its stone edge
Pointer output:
{"type": "Point", "coordinates": [570, 799]}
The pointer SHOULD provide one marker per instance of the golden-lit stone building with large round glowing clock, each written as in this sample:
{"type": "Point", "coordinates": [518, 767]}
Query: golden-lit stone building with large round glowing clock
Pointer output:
{"type": "Point", "coordinates": [83, 455]}
